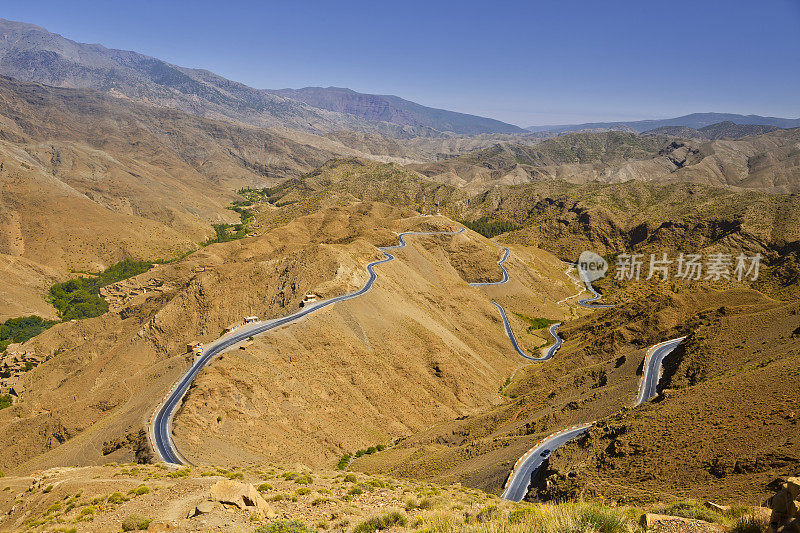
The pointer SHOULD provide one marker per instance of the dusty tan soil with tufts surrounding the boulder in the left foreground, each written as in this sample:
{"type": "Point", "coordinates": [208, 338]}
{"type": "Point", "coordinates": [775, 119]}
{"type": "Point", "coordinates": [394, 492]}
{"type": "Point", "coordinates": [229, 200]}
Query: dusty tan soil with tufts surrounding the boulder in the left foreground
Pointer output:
{"type": "Point", "coordinates": [100, 498]}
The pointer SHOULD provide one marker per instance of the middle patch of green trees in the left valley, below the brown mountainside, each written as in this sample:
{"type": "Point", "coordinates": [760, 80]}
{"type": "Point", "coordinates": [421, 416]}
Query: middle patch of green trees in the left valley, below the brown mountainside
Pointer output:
{"type": "Point", "coordinates": [80, 297]}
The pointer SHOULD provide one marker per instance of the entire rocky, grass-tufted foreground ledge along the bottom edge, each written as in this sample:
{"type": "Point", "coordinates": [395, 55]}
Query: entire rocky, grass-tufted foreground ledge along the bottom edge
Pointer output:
{"type": "Point", "coordinates": [270, 498]}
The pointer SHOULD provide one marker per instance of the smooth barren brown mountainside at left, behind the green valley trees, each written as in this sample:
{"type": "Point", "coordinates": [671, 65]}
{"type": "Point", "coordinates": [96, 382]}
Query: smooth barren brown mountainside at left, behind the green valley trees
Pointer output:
{"type": "Point", "coordinates": [87, 180]}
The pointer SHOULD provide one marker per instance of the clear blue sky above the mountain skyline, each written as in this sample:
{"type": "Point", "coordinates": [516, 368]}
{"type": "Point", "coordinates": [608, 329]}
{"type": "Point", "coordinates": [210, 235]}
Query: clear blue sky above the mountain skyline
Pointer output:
{"type": "Point", "coordinates": [526, 62]}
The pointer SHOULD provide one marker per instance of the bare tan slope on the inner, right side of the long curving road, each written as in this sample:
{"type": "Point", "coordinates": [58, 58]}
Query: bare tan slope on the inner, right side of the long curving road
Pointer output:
{"type": "Point", "coordinates": [421, 348]}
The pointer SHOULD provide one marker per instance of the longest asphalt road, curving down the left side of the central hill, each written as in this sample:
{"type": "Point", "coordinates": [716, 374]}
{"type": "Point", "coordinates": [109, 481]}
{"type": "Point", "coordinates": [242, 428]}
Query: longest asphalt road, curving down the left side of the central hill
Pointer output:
{"type": "Point", "coordinates": [161, 429]}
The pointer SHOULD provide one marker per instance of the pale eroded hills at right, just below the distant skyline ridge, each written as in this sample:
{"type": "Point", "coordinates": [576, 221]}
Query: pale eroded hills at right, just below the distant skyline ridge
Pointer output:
{"type": "Point", "coordinates": [767, 162]}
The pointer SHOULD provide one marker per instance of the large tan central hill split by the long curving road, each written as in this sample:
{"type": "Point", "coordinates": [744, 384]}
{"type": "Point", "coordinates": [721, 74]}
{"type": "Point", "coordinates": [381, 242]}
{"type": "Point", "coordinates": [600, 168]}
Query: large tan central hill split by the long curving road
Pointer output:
{"type": "Point", "coordinates": [422, 330]}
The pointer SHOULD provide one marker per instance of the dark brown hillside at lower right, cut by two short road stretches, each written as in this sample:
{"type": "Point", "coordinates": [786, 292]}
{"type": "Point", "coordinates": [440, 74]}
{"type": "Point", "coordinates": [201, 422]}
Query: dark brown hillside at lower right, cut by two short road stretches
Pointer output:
{"type": "Point", "coordinates": [724, 428]}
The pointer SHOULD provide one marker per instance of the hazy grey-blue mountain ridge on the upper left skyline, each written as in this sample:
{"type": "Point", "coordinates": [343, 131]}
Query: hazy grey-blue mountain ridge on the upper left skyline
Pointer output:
{"type": "Point", "coordinates": [31, 53]}
